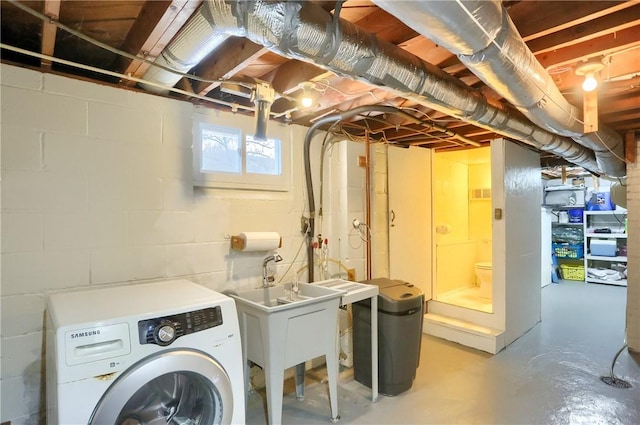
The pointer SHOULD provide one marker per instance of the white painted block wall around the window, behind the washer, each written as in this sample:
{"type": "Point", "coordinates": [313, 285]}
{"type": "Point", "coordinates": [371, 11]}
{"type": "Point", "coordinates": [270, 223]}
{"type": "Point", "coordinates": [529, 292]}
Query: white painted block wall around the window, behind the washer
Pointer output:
{"type": "Point", "coordinates": [97, 190]}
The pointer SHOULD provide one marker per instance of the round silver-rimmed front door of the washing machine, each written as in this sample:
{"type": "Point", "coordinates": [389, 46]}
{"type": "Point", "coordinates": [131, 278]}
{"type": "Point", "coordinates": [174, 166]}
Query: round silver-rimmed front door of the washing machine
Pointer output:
{"type": "Point", "coordinates": [174, 387]}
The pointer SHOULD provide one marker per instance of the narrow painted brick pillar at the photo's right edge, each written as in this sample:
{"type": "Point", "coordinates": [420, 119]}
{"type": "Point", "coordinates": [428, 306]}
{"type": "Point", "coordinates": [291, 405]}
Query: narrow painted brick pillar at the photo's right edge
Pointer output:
{"type": "Point", "coordinates": [633, 252]}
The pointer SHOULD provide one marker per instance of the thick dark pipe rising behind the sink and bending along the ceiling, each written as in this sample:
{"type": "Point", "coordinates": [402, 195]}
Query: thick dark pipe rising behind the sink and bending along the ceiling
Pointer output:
{"type": "Point", "coordinates": [332, 119]}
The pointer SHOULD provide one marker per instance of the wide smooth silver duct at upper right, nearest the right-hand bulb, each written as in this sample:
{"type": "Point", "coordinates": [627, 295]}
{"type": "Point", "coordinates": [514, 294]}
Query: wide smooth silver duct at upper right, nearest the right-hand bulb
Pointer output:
{"type": "Point", "coordinates": [483, 36]}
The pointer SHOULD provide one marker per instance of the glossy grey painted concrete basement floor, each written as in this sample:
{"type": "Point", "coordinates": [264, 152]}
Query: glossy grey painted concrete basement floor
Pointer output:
{"type": "Point", "coordinates": [550, 375]}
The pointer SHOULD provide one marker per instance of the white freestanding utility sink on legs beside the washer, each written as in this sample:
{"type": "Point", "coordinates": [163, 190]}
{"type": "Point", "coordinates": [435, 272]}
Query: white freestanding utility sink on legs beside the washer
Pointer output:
{"type": "Point", "coordinates": [281, 329]}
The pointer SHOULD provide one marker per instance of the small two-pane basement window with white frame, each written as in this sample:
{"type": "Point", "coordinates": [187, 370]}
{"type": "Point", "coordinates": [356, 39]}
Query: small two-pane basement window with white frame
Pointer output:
{"type": "Point", "coordinates": [225, 158]}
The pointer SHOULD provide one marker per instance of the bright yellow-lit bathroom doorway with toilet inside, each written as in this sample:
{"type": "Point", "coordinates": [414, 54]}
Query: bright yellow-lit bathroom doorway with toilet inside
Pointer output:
{"type": "Point", "coordinates": [462, 224]}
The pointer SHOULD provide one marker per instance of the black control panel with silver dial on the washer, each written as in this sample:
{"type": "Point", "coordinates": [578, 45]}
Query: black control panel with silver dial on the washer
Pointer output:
{"type": "Point", "coordinates": [164, 330]}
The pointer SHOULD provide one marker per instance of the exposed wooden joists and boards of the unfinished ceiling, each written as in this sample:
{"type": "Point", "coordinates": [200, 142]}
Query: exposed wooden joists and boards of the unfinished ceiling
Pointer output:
{"type": "Point", "coordinates": [561, 34]}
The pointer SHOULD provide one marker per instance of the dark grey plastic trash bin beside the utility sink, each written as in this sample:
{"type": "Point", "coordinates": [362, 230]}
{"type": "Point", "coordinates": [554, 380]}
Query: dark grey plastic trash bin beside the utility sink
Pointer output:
{"type": "Point", "coordinates": [400, 310]}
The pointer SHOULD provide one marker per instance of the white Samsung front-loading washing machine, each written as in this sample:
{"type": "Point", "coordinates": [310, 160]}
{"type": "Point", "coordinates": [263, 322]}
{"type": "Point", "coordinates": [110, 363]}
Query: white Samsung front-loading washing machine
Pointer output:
{"type": "Point", "coordinates": [155, 353]}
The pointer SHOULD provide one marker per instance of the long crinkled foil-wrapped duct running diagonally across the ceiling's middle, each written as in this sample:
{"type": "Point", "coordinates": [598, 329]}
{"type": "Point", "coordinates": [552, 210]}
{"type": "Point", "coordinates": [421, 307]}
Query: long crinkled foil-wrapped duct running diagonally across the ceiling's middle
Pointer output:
{"type": "Point", "coordinates": [301, 30]}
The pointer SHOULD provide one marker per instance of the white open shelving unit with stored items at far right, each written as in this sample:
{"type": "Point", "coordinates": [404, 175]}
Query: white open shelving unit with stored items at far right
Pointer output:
{"type": "Point", "coordinates": [616, 243]}
